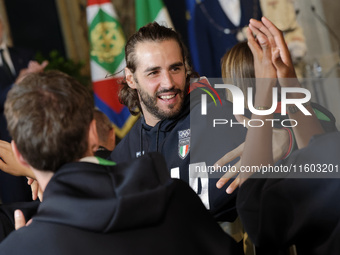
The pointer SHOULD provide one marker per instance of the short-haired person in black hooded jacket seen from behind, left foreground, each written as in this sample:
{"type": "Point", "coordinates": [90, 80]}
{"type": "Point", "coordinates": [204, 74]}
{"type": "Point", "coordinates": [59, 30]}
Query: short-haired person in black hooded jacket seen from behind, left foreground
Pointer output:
{"type": "Point", "coordinates": [103, 207]}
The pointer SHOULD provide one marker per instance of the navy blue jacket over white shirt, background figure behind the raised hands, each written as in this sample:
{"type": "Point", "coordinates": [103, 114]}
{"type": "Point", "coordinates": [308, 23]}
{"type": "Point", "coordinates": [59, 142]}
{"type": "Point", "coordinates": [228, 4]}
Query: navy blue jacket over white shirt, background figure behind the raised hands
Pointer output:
{"type": "Point", "coordinates": [210, 23]}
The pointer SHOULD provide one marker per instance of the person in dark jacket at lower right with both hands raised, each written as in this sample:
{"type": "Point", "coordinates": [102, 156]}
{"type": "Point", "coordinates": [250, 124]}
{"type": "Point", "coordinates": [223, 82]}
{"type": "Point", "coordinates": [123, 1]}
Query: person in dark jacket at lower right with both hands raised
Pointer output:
{"type": "Point", "coordinates": [279, 211]}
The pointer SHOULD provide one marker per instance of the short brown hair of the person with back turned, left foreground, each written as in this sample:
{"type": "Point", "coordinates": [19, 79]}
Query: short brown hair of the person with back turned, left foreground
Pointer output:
{"type": "Point", "coordinates": [48, 117]}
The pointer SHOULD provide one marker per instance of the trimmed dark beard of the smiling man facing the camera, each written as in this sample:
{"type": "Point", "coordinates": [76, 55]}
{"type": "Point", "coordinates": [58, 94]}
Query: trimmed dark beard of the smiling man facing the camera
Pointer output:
{"type": "Point", "coordinates": [150, 103]}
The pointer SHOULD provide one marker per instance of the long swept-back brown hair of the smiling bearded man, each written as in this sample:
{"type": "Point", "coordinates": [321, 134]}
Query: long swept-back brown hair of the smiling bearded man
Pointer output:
{"type": "Point", "coordinates": [150, 32]}
